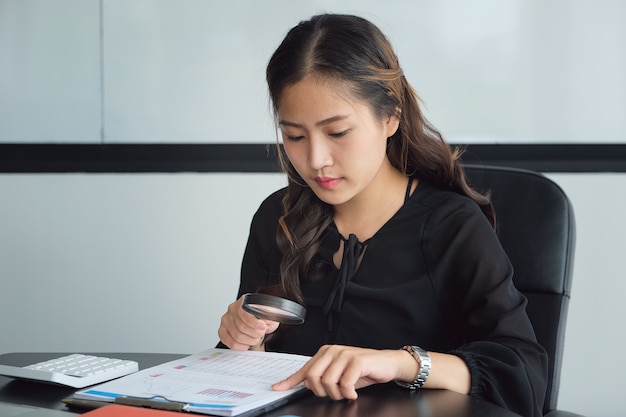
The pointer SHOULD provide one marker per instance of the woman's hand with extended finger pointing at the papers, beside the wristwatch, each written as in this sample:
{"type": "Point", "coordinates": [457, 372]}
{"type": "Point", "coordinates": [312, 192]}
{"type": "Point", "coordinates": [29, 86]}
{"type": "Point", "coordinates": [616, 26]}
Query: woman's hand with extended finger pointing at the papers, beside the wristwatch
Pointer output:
{"type": "Point", "coordinates": [338, 371]}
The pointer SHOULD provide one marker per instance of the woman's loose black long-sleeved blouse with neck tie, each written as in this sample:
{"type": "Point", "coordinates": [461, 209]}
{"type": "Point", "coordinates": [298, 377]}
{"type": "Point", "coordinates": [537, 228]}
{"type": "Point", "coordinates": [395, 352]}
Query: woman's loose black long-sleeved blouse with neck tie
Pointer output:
{"type": "Point", "coordinates": [435, 275]}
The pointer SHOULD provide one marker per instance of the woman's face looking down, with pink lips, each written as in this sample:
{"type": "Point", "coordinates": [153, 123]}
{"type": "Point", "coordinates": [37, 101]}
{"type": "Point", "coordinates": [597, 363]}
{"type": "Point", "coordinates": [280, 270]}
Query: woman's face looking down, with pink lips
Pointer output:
{"type": "Point", "coordinates": [334, 142]}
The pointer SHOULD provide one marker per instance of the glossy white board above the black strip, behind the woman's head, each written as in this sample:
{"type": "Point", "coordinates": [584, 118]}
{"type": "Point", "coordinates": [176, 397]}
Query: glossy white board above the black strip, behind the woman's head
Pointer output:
{"type": "Point", "coordinates": [192, 71]}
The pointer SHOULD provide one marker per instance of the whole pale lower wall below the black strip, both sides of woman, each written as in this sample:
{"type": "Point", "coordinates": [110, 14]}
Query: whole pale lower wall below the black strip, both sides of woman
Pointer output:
{"type": "Point", "coordinates": [105, 262]}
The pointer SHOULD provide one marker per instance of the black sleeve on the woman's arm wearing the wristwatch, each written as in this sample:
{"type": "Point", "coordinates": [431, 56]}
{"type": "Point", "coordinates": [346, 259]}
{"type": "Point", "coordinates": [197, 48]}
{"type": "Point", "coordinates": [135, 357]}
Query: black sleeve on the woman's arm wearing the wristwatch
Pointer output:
{"type": "Point", "coordinates": [469, 267]}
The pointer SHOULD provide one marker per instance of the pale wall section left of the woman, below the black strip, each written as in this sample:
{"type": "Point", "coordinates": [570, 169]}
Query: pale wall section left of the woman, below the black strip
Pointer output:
{"type": "Point", "coordinates": [121, 262]}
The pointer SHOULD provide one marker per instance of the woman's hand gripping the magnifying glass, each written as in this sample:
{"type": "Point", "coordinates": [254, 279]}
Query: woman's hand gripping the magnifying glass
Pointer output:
{"type": "Point", "coordinates": [240, 330]}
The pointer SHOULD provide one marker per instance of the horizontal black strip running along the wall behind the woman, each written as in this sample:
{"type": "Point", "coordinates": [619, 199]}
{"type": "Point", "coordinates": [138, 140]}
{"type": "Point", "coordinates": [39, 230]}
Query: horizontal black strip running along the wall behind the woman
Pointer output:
{"type": "Point", "coordinates": [154, 158]}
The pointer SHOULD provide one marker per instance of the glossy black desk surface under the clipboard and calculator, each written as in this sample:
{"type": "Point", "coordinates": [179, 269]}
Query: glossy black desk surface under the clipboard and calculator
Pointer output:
{"type": "Point", "coordinates": [375, 401]}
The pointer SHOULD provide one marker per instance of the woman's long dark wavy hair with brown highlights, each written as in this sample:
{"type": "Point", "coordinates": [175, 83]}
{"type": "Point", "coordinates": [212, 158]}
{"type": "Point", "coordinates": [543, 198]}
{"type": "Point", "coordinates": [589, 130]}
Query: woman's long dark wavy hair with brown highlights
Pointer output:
{"type": "Point", "coordinates": [353, 51]}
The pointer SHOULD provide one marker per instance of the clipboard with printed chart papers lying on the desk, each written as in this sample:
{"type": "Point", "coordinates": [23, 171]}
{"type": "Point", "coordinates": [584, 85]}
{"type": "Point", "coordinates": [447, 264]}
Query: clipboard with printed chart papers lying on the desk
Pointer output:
{"type": "Point", "coordinates": [217, 381]}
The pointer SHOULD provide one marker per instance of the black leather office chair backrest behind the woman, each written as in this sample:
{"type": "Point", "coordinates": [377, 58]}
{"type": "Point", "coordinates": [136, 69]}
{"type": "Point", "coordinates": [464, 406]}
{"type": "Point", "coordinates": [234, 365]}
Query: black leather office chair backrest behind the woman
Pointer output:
{"type": "Point", "coordinates": [537, 229]}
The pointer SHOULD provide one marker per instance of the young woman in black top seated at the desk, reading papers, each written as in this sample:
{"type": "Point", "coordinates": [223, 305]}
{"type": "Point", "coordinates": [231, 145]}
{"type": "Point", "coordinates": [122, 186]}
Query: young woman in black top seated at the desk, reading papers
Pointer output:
{"type": "Point", "coordinates": [379, 236]}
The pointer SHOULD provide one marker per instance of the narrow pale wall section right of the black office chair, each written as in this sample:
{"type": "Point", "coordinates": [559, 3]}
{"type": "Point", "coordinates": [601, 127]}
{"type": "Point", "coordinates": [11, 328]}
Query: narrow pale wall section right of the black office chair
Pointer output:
{"type": "Point", "coordinates": [594, 333]}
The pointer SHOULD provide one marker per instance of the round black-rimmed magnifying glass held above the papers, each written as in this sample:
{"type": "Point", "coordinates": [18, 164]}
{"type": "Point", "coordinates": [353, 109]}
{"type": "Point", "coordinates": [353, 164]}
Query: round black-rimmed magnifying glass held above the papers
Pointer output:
{"type": "Point", "coordinates": [270, 307]}
